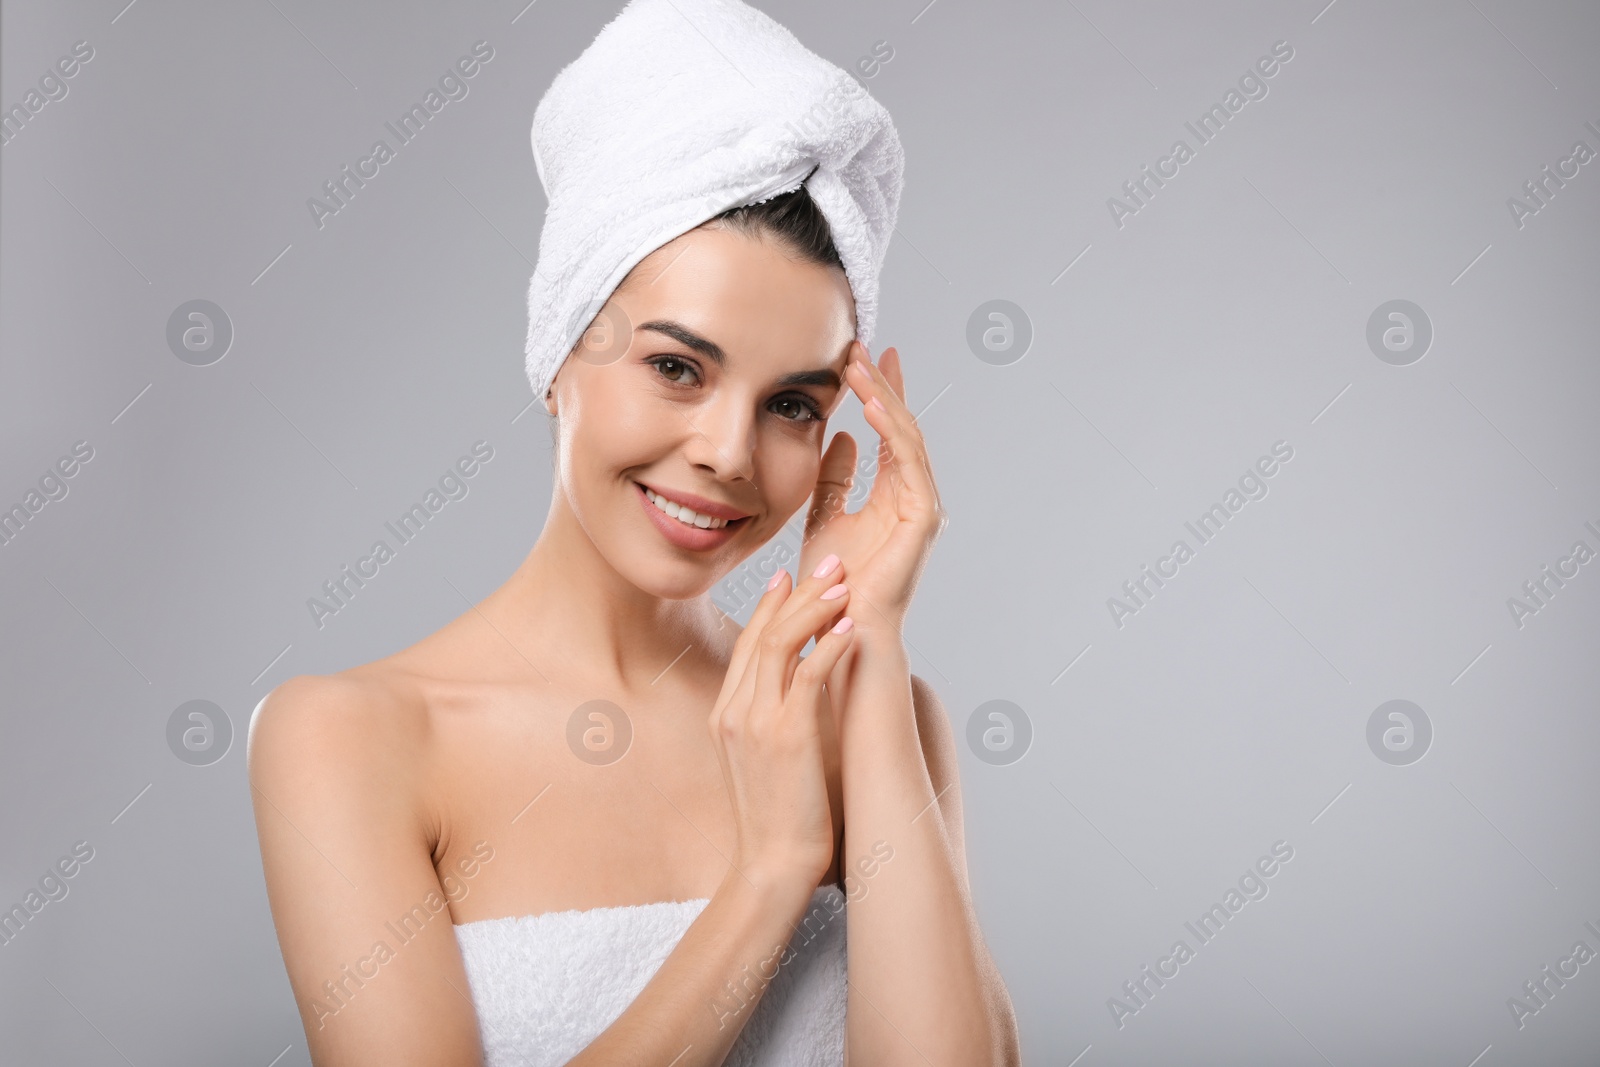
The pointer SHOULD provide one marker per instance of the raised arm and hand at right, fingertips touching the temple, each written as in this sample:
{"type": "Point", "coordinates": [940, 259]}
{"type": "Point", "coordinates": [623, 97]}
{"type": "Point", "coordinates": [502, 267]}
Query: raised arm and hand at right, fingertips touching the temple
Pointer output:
{"type": "Point", "coordinates": [922, 985]}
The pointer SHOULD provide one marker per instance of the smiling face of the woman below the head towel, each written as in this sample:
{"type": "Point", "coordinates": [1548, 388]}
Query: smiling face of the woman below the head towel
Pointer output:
{"type": "Point", "coordinates": [706, 380]}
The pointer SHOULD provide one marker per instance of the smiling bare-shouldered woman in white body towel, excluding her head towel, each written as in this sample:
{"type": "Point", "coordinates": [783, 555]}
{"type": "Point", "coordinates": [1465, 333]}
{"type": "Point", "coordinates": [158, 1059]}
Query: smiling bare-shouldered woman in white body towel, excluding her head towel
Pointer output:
{"type": "Point", "coordinates": [594, 821]}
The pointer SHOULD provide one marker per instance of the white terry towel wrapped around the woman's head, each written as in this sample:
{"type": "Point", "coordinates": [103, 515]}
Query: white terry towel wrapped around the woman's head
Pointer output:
{"type": "Point", "coordinates": [679, 111]}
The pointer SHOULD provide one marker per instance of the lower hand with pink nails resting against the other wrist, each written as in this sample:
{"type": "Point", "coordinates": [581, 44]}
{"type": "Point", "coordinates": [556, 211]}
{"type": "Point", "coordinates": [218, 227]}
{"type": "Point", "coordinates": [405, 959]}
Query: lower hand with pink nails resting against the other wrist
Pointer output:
{"type": "Point", "coordinates": [767, 729]}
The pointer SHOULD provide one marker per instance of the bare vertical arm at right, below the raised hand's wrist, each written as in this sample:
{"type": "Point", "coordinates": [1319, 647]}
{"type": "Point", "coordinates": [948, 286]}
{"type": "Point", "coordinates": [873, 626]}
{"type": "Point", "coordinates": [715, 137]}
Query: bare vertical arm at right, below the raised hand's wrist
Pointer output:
{"type": "Point", "coordinates": [924, 988]}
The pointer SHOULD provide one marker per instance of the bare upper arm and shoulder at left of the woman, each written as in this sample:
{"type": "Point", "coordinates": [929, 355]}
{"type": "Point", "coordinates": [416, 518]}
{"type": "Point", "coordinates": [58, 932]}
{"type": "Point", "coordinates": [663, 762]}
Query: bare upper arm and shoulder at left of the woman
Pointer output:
{"type": "Point", "coordinates": [335, 773]}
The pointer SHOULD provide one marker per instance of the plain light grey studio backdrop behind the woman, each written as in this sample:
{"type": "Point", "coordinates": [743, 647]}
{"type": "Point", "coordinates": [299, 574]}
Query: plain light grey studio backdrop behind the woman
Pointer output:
{"type": "Point", "coordinates": [1169, 754]}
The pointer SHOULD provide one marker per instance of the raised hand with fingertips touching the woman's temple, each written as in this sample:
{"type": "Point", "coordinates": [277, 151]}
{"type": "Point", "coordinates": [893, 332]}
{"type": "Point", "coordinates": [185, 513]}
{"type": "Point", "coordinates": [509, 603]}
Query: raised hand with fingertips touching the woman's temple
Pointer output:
{"type": "Point", "coordinates": [887, 543]}
